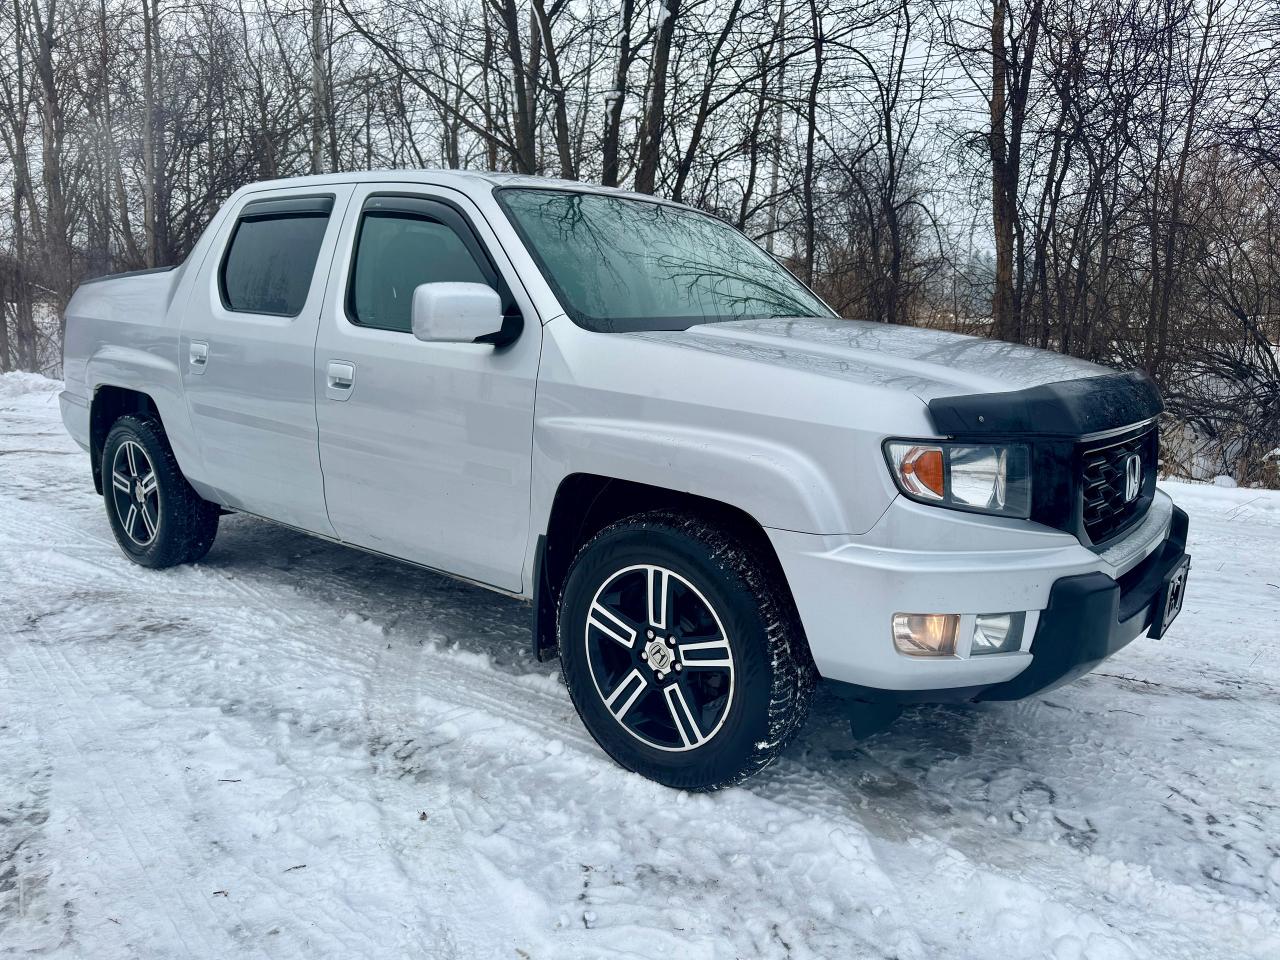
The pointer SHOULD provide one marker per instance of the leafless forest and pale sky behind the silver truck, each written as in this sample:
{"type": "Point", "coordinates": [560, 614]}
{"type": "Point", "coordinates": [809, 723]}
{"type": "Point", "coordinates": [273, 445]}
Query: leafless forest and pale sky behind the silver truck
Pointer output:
{"type": "Point", "coordinates": [1096, 177]}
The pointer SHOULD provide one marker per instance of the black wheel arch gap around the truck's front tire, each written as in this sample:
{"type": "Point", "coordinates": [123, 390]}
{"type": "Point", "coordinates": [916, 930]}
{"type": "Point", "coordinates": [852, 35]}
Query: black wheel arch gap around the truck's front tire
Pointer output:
{"type": "Point", "coordinates": [587, 504]}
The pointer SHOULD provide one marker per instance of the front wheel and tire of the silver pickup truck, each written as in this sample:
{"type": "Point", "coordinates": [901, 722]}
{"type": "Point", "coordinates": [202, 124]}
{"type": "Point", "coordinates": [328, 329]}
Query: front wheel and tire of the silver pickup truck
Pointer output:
{"type": "Point", "coordinates": [717, 676]}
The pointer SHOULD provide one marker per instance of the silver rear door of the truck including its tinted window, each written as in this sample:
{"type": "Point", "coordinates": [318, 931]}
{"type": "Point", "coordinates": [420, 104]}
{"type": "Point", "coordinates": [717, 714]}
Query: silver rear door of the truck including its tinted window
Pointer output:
{"type": "Point", "coordinates": [248, 353]}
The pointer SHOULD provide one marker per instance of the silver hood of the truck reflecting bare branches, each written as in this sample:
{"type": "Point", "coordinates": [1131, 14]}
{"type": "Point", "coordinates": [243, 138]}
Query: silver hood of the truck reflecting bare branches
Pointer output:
{"type": "Point", "coordinates": [926, 363]}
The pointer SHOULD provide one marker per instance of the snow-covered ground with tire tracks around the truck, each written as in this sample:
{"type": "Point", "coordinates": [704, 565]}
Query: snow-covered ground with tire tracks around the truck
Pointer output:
{"type": "Point", "coordinates": [299, 751]}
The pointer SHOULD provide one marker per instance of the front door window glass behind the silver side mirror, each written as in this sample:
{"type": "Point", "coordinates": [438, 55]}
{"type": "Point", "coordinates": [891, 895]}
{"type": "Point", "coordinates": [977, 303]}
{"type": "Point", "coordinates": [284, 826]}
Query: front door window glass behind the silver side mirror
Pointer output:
{"type": "Point", "coordinates": [403, 244]}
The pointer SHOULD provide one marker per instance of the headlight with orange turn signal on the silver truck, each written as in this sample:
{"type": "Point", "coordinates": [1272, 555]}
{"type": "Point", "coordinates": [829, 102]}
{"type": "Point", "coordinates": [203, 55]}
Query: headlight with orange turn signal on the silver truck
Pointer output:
{"type": "Point", "coordinates": [986, 479]}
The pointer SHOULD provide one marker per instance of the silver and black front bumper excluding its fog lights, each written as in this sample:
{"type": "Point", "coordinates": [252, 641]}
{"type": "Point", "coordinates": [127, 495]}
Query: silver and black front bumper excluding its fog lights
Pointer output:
{"type": "Point", "coordinates": [922, 560]}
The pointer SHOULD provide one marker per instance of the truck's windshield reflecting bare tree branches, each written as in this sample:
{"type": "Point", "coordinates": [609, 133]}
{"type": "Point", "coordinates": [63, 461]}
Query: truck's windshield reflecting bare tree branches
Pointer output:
{"type": "Point", "coordinates": [620, 266]}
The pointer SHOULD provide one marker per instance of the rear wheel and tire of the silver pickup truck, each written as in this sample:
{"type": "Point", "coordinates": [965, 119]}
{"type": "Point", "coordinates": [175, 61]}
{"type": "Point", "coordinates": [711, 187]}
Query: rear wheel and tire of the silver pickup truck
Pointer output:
{"type": "Point", "coordinates": [158, 519]}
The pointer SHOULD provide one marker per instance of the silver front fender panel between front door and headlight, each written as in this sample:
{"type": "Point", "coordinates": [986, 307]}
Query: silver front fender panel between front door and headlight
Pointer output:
{"type": "Point", "coordinates": [792, 452]}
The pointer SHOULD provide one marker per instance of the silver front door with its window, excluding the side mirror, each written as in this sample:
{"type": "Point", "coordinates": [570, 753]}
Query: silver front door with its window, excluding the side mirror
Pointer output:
{"type": "Point", "coordinates": [426, 447]}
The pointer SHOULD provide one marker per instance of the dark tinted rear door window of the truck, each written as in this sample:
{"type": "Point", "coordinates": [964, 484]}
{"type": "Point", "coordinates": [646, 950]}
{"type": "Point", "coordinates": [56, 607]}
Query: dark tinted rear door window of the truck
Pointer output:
{"type": "Point", "coordinates": [272, 255]}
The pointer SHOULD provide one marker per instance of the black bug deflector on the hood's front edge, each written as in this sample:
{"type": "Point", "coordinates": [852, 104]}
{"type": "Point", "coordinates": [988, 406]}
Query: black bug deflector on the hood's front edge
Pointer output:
{"type": "Point", "coordinates": [1091, 405]}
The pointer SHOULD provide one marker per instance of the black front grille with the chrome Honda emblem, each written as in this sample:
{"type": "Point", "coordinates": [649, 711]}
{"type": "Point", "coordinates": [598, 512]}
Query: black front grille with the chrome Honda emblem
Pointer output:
{"type": "Point", "coordinates": [1107, 506]}
